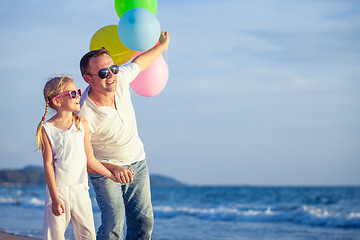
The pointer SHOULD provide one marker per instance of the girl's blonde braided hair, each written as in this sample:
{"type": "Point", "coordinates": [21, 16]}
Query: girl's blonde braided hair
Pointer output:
{"type": "Point", "coordinates": [53, 87]}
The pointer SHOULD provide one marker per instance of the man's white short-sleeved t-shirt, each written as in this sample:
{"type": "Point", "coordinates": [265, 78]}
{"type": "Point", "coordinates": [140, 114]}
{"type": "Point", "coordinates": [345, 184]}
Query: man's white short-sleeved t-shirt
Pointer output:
{"type": "Point", "coordinates": [114, 134]}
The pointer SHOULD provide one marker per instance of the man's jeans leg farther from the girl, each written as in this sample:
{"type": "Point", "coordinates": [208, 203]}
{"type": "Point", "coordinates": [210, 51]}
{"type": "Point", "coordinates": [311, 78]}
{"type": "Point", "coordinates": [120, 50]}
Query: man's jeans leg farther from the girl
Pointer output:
{"type": "Point", "coordinates": [137, 198]}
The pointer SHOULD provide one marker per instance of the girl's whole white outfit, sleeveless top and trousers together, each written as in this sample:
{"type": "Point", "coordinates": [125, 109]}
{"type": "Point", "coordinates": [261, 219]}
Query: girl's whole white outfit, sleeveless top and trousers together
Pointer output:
{"type": "Point", "coordinates": [72, 185]}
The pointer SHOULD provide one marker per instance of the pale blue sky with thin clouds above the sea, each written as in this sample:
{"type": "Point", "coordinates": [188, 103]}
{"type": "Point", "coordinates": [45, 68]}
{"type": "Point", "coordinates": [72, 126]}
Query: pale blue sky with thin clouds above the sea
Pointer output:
{"type": "Point", "coordinates": [259, 92]}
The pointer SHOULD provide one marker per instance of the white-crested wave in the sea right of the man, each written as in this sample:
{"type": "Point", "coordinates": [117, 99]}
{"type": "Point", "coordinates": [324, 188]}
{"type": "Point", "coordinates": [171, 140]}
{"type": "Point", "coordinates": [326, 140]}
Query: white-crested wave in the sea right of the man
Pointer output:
{"type": "Point", "coordinates": [306, 215]}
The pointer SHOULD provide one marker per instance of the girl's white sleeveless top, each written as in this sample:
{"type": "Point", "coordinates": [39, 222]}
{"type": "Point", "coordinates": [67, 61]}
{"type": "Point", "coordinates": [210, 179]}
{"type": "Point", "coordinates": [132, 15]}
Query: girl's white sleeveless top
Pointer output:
{"type": "Point", "coordinates": [68, 154]}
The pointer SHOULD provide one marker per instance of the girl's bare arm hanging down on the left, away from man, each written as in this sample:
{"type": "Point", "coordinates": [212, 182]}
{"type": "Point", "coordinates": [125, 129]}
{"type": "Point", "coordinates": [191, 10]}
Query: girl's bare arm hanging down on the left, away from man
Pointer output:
{"type": "Point", "coordinates": [57, 205]}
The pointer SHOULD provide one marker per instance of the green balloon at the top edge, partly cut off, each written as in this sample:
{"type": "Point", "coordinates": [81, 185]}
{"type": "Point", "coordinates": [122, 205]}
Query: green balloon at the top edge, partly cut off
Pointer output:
{"type": "Point", "coordinates": [122, 6]}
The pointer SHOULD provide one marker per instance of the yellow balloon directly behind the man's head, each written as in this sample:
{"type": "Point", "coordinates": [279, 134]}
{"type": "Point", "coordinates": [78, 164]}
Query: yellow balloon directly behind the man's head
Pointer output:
{"type": "Point", "coordinates": [108, 37]}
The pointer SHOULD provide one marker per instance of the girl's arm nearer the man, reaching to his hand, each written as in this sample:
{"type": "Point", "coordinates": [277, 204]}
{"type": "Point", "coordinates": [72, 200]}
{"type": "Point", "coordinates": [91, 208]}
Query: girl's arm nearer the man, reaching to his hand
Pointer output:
{"type": "Point", "coordinates": [94, 165]}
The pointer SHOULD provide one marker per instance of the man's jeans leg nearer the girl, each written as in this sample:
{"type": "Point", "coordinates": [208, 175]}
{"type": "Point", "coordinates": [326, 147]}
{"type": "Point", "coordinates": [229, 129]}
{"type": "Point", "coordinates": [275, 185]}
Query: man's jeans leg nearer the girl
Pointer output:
{"type": "Point", "coordinates": [110, 201]}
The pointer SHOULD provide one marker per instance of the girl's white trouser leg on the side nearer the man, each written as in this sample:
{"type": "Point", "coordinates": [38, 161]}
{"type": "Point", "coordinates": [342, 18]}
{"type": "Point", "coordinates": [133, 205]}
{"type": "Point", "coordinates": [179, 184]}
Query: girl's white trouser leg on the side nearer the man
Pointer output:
{"type": "Point", "coordinates": [82, 218]}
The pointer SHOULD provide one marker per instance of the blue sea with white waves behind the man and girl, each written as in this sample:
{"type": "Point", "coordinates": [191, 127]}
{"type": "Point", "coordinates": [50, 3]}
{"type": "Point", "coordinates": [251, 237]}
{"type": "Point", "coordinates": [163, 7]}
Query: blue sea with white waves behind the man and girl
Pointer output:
{"type": "Point", "coordinates": [215, 212]}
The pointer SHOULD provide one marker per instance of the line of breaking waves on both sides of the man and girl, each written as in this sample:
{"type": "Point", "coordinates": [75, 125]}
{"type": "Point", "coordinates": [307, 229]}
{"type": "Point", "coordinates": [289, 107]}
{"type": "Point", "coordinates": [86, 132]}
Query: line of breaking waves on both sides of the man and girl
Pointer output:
{"type": "Point", "coordinates": [299, 214]}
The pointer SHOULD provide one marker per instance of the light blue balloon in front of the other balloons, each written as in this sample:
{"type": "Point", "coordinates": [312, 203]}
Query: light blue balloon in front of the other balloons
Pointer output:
{"type": "Point", "coordinates": [139, 29]}
